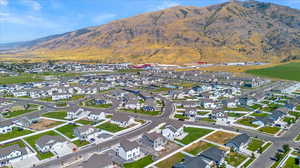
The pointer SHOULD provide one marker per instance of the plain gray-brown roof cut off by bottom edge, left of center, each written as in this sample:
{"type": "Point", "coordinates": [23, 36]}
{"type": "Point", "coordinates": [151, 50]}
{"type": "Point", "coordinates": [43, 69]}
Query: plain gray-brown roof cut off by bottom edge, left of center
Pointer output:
{"type": "Point", "coordinates": [97, 161]}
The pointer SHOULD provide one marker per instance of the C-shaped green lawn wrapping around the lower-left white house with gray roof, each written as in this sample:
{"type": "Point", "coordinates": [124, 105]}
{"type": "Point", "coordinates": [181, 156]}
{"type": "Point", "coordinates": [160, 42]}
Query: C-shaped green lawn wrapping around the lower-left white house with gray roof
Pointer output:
{"type": "Point", "coordinates": [31, 141]}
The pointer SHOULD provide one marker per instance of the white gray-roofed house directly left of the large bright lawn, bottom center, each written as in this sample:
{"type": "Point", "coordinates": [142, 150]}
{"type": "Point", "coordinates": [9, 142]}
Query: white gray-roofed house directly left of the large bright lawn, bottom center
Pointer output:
{"type": "Point", "coordinates": [173, 131]}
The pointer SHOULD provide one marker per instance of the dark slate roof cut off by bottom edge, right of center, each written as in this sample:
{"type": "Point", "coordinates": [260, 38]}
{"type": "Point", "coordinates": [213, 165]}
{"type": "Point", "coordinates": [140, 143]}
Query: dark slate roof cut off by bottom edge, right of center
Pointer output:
{"type": "Point", "coordinates": [191, 162]}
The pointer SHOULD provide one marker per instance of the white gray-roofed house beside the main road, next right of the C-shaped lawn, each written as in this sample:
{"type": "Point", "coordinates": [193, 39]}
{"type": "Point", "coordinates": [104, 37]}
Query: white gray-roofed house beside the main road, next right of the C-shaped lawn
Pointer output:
{"type": "Point", "coordinates": [86, 132]}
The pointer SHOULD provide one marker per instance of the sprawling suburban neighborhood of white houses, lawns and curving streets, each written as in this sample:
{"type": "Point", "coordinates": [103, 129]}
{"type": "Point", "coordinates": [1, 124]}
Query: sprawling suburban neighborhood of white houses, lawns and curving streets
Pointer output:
{"type": "Point", "coordinates": [114, 115]}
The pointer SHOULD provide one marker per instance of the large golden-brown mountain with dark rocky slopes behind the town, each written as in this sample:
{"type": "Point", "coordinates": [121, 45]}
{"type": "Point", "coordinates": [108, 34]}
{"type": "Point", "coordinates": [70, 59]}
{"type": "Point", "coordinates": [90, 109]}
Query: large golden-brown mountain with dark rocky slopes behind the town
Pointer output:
{"type": "Point", "coordinates": [232, 31]}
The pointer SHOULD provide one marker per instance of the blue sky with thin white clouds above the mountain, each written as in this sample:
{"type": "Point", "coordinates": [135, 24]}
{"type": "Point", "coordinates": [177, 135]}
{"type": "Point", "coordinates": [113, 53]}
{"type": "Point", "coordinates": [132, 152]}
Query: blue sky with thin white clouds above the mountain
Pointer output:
{"type": "Point", "coordinates": [23, 20]}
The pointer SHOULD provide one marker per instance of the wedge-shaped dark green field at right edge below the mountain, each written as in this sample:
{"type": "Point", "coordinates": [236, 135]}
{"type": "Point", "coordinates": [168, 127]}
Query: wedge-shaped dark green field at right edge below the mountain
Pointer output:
{"type": "Point", "coordinates": [288, 71]}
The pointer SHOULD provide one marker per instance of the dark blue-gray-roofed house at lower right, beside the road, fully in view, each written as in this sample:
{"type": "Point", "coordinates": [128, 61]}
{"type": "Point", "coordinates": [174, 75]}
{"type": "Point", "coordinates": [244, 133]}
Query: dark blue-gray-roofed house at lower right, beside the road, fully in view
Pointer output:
{"type": "Point", "coordinates": [239, 142]}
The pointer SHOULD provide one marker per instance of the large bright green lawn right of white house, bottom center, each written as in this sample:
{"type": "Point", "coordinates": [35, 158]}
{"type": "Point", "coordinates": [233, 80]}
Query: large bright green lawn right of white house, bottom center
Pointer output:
{"type": "Point", "coordinates": [194, 134]}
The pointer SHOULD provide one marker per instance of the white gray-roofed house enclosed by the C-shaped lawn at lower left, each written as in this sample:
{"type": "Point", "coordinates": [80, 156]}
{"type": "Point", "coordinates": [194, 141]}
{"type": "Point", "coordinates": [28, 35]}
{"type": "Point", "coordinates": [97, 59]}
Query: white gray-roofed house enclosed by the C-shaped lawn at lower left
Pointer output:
{"type": "Point", "coordinates": [48, 143]}
